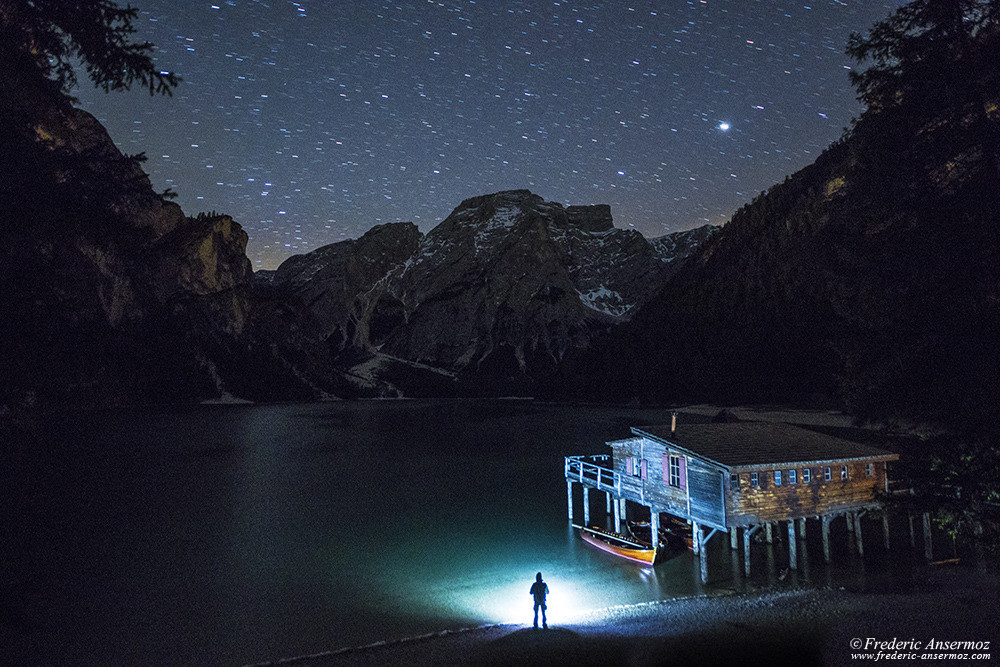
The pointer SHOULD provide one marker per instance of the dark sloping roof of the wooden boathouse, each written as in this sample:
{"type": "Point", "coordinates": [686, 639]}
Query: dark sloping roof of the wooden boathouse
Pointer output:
{"type": "Point", "coordinates": [751, 444]}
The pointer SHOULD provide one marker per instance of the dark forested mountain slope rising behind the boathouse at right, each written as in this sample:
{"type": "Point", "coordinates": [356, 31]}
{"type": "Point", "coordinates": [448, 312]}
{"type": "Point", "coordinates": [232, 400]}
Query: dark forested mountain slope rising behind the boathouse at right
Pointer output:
{"type": "Point", "coordinates": [867, 280]}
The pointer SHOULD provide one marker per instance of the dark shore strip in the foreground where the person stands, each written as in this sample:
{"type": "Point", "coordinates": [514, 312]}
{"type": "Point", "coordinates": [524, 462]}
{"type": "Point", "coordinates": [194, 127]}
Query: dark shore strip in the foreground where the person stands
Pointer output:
{"type": "Point", "coordinates": [800, 626]}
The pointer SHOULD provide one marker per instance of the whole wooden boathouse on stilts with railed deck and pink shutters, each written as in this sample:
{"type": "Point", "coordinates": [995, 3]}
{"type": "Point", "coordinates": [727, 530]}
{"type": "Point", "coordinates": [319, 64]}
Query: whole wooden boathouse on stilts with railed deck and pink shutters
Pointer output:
{"type": "Point", "coordinates": [733, 477]}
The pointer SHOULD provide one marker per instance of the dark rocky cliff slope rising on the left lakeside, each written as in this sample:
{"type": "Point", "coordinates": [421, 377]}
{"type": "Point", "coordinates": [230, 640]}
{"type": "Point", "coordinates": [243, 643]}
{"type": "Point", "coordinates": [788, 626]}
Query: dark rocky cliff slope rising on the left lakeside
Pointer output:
{"type": "Point", "coordinates": [101, 276]}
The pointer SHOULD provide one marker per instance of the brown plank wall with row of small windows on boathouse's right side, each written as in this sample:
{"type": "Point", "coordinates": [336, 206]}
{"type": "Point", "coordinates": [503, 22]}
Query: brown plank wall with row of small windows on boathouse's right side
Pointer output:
{"type": "Point", "coordinates": [771, 502]}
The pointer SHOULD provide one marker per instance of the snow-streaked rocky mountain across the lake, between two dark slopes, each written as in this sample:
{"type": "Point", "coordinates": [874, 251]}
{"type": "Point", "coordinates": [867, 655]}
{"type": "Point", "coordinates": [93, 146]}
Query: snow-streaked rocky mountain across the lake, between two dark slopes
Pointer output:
{"type": "Point", "coordinates": [489, 301]}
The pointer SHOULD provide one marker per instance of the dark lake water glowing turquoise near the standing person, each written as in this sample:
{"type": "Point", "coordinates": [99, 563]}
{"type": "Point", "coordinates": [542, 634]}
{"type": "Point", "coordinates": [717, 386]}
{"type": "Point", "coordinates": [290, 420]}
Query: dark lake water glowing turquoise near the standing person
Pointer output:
{"type": "Point", "coordinates": [236, 534]}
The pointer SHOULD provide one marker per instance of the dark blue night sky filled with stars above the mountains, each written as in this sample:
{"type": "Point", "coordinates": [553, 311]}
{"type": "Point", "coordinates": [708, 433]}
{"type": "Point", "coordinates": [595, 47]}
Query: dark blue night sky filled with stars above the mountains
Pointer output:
{"type": "Point", "coordinates": [312, 121]}
